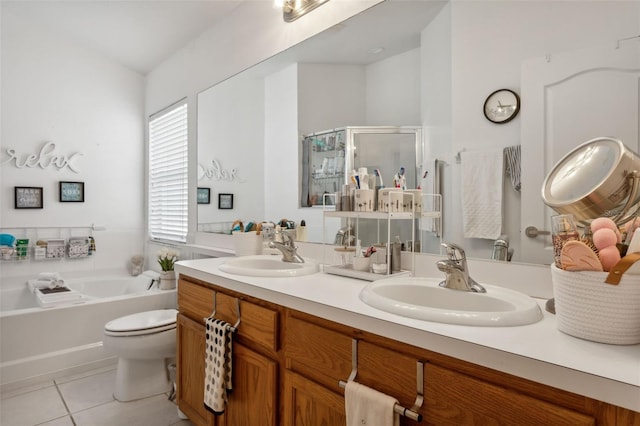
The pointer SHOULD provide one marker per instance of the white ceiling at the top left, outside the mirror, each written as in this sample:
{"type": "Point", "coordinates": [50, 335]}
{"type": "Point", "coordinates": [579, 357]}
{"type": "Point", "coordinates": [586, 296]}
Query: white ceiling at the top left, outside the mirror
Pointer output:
{"type": "Point", "coordinates": [139, 34]}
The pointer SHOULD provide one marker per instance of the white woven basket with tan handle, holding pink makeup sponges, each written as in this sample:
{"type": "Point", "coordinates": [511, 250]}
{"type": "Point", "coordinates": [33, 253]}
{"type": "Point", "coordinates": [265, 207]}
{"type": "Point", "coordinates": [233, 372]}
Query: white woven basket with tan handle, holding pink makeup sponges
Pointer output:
{"type": "Point", "coordinates": [589, 308]}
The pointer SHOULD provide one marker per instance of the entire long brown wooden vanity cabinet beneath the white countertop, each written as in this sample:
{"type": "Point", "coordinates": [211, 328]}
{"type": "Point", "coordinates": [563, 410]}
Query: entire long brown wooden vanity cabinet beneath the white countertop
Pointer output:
{"type": "Point", "coordinates": [287, 366]}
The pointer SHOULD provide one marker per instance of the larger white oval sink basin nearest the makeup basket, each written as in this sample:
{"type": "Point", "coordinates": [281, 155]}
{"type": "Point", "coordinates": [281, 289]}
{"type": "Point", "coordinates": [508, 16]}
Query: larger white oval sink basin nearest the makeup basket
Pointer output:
{"type": "Point", "coordinates": [423, 298]}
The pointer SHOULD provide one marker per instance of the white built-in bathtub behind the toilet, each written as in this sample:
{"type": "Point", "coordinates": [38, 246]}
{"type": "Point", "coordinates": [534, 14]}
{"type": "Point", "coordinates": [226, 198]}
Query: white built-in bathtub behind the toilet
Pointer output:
{"type": "Point", "coordinates": [40, 344]}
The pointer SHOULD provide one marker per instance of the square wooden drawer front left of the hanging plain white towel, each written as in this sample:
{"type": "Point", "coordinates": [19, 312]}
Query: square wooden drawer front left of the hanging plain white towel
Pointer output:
{"type": "Point", "coordinates": [316, 352]}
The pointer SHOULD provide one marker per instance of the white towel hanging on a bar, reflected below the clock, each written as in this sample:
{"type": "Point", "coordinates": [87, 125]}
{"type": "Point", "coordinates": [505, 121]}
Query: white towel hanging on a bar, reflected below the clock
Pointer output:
{"type": "Point", "coordinates": [482, 175]}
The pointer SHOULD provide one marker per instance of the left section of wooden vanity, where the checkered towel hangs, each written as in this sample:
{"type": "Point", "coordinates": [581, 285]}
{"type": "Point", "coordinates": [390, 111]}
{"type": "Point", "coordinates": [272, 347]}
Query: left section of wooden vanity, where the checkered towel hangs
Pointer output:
{"type": "Point", "coordinates": [254, 399]}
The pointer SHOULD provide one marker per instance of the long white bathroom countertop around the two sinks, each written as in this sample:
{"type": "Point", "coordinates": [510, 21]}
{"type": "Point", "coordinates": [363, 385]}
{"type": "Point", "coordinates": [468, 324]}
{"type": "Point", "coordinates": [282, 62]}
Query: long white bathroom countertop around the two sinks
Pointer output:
{"type": "Point", "coordinates": [538, 352]}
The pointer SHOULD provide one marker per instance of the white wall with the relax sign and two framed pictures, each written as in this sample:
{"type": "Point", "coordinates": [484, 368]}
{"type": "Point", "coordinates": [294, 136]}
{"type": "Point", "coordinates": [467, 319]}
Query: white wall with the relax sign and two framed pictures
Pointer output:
{"type": "Point", "coordinates": [54, 90]}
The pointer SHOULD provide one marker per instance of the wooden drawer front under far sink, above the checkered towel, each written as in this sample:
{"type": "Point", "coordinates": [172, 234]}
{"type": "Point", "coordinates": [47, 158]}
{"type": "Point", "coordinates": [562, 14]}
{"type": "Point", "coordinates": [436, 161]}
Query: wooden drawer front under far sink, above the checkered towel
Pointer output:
{"type": "Point", "coordinates": [259, 324]}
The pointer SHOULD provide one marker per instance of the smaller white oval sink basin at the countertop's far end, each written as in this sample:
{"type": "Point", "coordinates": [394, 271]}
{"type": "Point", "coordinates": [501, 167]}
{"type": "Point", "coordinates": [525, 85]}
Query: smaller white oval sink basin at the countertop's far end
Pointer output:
{"type": "Point", "coordinates": [267, 266]}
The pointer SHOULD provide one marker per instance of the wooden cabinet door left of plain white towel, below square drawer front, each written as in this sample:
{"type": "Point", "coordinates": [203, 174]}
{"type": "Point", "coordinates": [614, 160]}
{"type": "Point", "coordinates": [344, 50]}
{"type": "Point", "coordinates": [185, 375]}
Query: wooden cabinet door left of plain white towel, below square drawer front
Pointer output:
{"type": "Point", "coordinates": [309, 404]}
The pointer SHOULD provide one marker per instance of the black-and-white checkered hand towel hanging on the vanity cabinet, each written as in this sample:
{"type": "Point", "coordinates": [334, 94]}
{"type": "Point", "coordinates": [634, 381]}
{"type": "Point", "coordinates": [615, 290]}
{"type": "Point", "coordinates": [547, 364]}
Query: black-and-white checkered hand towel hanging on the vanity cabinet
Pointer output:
{"type": "Point", "coordinates": [218, 366]}
